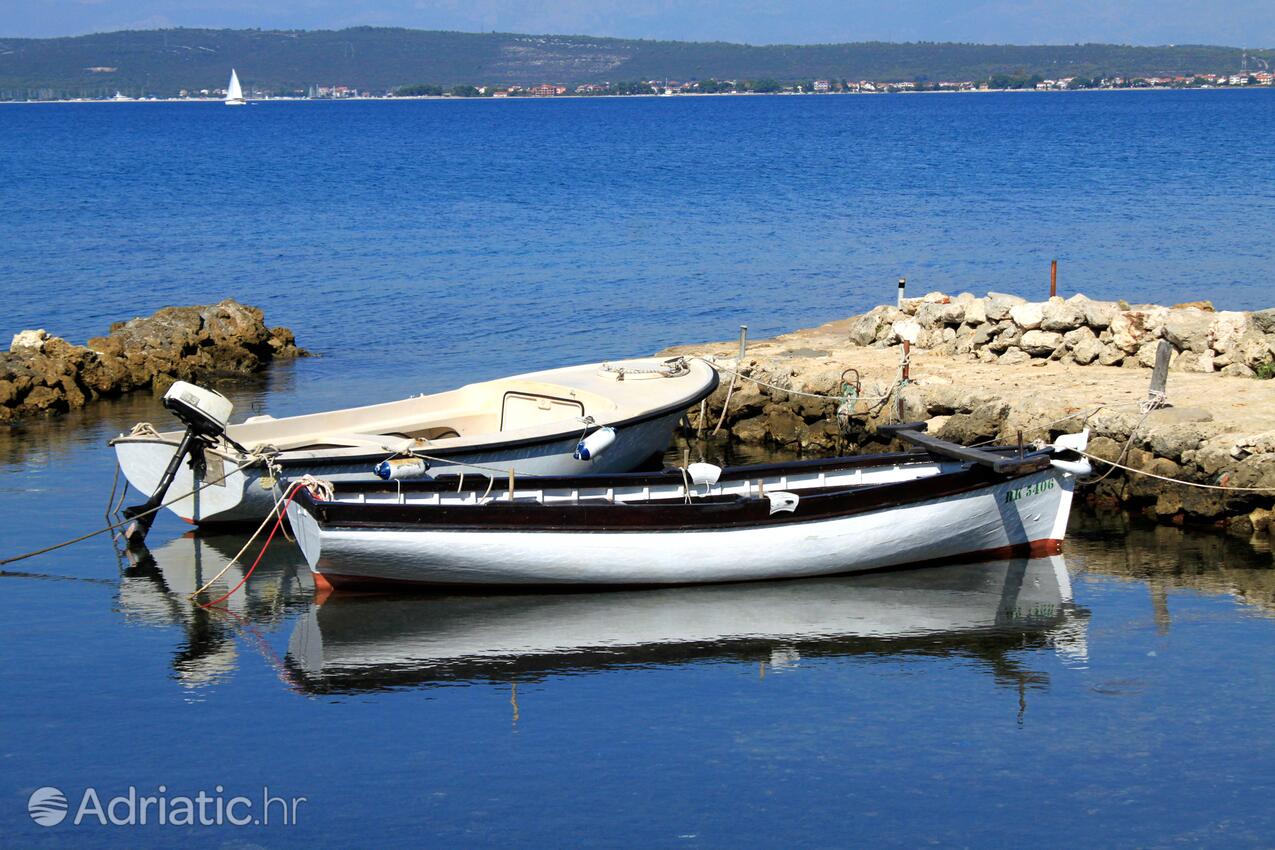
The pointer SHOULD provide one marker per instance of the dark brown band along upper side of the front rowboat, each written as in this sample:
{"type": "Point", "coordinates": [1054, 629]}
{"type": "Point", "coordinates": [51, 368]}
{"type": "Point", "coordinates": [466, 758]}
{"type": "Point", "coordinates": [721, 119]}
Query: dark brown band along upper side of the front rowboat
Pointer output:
{"type": "Point", "coordinates": [669, 515]}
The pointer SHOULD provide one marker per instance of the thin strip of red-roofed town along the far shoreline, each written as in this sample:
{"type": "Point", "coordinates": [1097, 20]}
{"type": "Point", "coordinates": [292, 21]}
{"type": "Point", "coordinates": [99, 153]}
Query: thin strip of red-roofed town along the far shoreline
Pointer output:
{"type": "Point", "coordinates": [651, 89]}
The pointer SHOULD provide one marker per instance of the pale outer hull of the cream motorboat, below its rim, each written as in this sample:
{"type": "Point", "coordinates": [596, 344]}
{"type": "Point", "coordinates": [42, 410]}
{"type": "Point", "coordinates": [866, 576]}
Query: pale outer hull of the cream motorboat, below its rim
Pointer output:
{"type": "Point", "coordinates": [248, 495]}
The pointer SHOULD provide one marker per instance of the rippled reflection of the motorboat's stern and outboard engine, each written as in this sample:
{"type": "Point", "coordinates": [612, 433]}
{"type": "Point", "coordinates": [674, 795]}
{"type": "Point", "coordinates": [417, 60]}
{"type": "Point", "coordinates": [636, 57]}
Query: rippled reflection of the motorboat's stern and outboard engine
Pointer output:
{"type": "Point", "coordinates": [156, 587]}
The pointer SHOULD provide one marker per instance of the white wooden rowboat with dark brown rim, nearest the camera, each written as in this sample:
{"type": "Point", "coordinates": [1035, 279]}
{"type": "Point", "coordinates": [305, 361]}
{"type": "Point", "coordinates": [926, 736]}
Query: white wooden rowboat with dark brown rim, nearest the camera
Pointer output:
{"type": "Point", "coordinates": [699, 524]}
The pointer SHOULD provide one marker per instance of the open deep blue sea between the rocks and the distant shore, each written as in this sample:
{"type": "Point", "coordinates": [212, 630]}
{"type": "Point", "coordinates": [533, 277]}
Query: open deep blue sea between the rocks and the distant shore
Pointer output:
{"type": "Point", "coordinates": [470, 239]}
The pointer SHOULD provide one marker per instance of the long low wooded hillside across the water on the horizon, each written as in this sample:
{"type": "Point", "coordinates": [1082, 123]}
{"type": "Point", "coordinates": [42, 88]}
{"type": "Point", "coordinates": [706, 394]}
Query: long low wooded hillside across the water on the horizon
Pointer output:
{"type": "Point", "coordinates": [166, 61]}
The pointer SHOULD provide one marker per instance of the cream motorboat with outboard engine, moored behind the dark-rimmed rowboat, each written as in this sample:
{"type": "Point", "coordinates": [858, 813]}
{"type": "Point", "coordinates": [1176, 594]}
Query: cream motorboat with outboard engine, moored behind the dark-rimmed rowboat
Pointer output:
{"type": "Point", "coordinates": [594, 419]}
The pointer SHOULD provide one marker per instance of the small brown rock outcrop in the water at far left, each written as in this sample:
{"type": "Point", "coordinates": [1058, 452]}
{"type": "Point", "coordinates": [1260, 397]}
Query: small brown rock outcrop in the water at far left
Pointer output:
{"type": "Point", "coordinates": [44, 375]}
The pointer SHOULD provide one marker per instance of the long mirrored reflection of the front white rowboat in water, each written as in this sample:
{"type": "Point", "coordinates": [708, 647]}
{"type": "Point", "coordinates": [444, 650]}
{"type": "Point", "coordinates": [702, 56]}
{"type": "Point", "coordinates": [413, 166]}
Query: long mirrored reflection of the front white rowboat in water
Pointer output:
{"type": "Point", "coordinates": [982, 611]}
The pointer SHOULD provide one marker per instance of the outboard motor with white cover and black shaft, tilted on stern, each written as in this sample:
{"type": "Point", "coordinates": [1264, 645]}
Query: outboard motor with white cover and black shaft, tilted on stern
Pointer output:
{"type": "Point", "coordinates": [206, 414]}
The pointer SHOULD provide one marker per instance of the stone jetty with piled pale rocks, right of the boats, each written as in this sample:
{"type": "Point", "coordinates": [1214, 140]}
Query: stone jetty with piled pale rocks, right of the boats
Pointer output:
{"type": "Point", "coordinates": [984, 370]}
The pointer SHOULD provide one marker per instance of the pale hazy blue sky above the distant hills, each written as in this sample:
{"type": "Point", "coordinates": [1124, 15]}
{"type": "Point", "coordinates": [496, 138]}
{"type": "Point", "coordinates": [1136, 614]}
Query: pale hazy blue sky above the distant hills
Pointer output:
{"type": "Point", "coordinates": [1144, 22]}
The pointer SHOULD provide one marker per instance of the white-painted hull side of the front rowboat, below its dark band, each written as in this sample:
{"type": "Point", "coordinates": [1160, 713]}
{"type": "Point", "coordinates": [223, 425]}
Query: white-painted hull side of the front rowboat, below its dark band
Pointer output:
{"type": "Point", "coordinates": [985, 521]}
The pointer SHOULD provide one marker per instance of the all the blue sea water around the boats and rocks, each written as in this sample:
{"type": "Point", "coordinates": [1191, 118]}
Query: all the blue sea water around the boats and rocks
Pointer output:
{"type": "Point", "coordinates": [1118, 699]}
